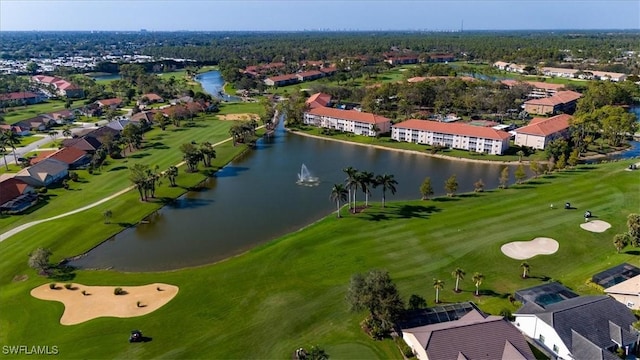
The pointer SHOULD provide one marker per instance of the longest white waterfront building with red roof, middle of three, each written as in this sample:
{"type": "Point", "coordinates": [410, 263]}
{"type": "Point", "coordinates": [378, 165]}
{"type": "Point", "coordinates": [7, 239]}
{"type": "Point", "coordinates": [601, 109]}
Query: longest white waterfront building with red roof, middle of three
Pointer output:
{"type": "Point", "coordinates": [452, 135]}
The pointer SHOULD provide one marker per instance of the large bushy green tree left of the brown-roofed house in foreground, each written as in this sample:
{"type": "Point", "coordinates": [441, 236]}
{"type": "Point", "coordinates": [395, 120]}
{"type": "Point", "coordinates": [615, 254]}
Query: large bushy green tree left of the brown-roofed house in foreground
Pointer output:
{"type": "Point", "coordinates": [377, 293]}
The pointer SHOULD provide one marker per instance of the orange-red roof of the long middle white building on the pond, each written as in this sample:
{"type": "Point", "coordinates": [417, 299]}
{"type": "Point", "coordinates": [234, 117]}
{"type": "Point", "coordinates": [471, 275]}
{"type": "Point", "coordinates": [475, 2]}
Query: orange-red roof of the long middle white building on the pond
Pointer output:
{"type": "Point", "coordinates": [453, 128]}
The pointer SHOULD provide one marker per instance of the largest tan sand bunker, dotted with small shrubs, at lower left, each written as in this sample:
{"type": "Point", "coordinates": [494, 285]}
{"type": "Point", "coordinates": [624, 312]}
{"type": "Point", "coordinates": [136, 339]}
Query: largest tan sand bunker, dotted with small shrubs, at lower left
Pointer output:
{"type": "Point", "coordinates": [100, 300]}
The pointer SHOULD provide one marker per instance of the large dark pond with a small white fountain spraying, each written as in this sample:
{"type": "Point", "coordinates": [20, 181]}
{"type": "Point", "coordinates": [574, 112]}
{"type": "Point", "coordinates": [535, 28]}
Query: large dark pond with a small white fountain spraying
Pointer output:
{"type": "Point", "coordinates": [256, 199]}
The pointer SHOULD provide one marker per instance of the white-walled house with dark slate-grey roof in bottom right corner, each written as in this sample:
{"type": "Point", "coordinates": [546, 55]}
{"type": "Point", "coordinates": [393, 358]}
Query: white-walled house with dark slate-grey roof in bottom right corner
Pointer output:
{"type": "Point", "coordinates": [584, 327]}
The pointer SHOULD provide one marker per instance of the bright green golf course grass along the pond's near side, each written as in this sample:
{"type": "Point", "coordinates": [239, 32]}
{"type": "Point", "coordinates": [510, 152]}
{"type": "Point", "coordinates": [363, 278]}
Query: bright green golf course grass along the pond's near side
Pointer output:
{"type": "Point", "coordinates": [290, 292]}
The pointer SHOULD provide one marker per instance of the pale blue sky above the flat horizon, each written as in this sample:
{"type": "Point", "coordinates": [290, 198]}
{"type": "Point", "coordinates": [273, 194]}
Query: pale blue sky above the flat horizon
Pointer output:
{"type": "Point", "coordinates": [261, 15]}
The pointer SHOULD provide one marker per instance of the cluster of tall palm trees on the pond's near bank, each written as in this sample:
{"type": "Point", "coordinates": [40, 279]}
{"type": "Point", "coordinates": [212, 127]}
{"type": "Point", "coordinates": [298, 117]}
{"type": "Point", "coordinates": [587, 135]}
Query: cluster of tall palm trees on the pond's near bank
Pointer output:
{"type": "Point", "coordinates": [363, 180]}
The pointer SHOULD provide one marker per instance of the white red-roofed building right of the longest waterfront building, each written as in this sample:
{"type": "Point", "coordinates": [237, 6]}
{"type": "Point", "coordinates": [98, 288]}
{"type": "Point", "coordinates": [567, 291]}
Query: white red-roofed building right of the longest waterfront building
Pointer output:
{"type": "Point", "coordinates": [541, 131]}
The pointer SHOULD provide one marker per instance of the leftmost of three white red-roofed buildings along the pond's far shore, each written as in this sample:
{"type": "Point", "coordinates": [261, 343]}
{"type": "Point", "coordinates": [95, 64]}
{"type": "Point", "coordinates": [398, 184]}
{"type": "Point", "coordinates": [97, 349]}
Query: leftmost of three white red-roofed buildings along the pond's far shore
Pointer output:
{"type": "Point", "coordinates": [353, 121]}
